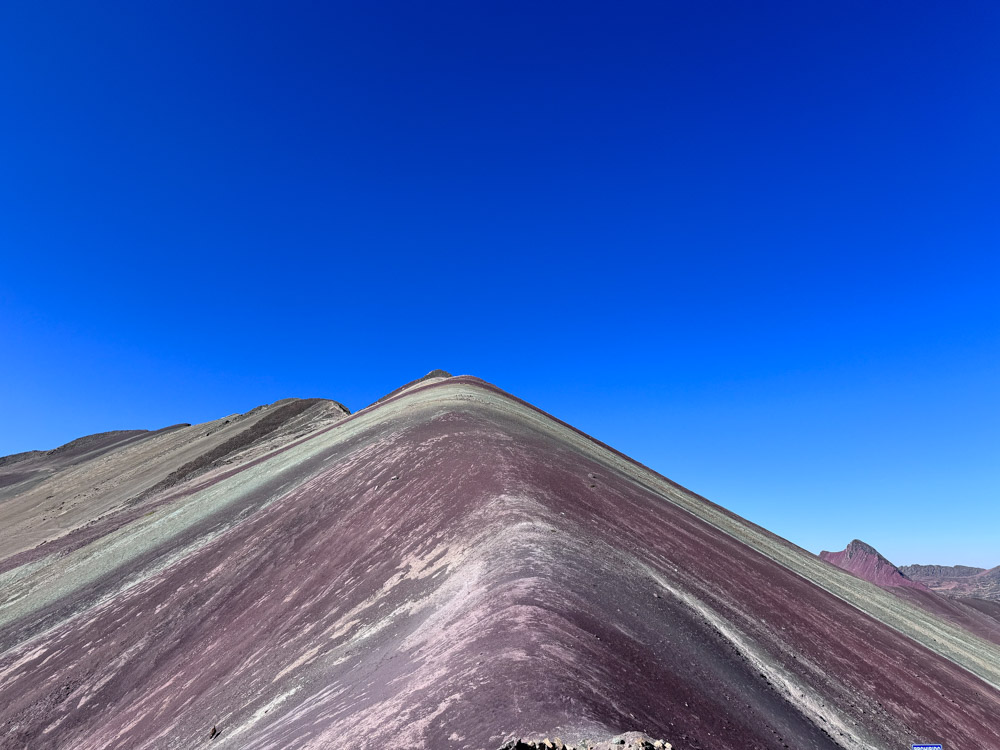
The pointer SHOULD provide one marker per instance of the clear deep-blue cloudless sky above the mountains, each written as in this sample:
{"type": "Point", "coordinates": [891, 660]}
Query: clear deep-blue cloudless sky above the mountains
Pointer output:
{"type": "Point", "coordinates": [754, 245]}
